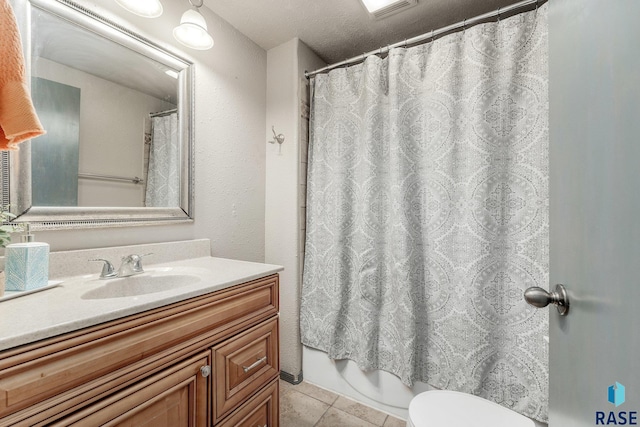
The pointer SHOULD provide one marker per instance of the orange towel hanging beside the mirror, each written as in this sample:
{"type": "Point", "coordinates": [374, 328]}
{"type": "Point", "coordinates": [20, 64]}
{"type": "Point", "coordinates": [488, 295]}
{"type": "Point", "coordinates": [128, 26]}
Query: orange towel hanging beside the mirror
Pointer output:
{"type": "Point", "coordinates": [18, 119]}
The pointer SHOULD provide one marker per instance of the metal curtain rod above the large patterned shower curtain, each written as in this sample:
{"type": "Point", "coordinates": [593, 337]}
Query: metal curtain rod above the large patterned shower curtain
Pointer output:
{"type": "Point", "coordinates": [430, 35]}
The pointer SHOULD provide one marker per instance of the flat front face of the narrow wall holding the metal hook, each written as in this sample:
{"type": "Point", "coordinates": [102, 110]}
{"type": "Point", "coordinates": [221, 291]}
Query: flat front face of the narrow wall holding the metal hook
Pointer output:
{"type": "Point", "coordinates": [281, 231]}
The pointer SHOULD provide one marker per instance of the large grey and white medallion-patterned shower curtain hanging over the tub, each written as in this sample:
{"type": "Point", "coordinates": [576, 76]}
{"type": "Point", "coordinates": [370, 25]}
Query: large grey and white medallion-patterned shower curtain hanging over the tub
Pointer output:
{"type": "Point", "coordinates": [427, 213]}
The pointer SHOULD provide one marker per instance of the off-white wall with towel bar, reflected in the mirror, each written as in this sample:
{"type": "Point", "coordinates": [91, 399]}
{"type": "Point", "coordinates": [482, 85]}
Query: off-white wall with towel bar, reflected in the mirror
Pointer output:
{"type": "Point", "coordinates": [106, 149]}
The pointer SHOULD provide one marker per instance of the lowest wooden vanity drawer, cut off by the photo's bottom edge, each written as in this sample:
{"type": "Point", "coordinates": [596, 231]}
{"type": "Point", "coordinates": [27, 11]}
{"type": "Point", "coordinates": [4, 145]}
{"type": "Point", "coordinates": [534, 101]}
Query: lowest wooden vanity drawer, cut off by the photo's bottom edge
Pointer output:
{"type": "Point", "coordinates": [260, 411]}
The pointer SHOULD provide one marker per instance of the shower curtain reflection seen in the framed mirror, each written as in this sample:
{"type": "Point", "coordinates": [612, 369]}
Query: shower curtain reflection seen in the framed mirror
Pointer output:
{"type": "Point", "coordinates": [163, 176]}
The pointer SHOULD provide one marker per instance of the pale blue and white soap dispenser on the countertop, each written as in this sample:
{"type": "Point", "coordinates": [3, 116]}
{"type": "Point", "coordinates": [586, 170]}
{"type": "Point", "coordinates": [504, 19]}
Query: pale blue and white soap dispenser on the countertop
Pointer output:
{"type": "Point", "coordinates": [26, 264]}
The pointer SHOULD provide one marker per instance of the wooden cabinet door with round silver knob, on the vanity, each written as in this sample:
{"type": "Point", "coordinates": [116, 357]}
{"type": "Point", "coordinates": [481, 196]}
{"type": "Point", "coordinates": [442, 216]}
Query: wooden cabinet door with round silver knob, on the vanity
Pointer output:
{"type": "Point", "coordinates": [176, 397]}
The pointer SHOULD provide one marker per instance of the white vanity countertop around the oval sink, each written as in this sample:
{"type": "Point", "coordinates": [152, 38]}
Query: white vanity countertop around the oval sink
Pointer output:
{"type": "Point", "coordinates": [63, 309]}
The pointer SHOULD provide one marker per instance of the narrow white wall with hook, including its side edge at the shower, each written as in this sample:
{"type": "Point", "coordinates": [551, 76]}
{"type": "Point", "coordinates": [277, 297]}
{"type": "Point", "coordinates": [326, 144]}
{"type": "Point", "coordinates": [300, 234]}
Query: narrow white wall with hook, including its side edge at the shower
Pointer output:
{"type": "Point", "coordinates": [285, 186]}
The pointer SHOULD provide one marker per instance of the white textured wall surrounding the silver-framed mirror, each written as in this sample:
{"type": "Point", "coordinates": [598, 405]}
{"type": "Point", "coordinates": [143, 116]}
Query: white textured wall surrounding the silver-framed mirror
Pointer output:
{"type": "Point", "coordinates": [230, 97]}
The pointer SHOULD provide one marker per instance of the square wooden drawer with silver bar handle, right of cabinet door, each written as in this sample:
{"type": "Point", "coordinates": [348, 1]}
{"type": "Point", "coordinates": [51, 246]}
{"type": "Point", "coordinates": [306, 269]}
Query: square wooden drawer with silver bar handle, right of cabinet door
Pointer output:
{"type": "Point", "coordinates": [243, 365]}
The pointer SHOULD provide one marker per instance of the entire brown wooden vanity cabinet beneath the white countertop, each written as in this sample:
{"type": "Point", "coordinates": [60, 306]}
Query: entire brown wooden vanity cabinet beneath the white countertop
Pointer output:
{"type": "Point", "coordinates": [160, 367]}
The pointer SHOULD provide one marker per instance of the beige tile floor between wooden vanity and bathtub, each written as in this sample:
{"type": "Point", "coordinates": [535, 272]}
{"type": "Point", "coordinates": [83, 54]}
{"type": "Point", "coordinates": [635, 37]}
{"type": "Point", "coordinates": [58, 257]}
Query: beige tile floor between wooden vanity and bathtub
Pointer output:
{"type": "Point", "coordinates": [305, 405]}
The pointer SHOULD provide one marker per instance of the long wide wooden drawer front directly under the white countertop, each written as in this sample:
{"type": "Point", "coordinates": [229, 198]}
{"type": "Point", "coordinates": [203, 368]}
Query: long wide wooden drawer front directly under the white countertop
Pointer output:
{"type": "Point", "coordinates": [62, 373]}
